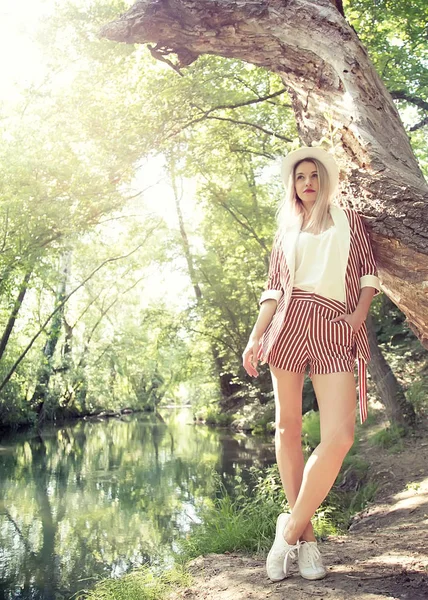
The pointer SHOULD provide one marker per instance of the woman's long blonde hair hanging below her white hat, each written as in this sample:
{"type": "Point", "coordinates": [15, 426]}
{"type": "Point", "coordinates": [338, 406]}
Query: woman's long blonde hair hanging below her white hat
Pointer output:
{"type": "Point", "coordinates": [291, 208]}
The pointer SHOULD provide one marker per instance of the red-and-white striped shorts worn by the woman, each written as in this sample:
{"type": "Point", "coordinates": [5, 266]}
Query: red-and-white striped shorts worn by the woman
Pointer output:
{"type": "Point", "coordinates": [309, 336]}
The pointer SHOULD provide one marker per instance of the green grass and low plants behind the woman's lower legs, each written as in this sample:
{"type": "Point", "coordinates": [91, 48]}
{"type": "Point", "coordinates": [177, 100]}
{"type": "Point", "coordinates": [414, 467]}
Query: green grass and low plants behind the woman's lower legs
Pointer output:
{"type": "Point", "coordinates": [246, 519]}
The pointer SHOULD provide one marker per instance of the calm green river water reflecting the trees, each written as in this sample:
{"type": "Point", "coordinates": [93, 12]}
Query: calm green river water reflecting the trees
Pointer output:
{"type": "Point", "coordinates": [93, 499]}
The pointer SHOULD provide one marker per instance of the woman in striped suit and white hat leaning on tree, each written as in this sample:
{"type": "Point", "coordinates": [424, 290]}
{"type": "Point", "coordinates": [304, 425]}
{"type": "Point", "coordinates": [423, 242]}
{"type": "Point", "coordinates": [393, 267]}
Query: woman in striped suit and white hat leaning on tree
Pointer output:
{"type": "Point", "coordinates": [322, 278]}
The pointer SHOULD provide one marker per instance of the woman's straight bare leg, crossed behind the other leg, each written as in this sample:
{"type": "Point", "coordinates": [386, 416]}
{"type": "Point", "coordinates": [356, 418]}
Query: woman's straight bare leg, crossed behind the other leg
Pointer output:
{"type": "Point", "coordinates": [288, 388]}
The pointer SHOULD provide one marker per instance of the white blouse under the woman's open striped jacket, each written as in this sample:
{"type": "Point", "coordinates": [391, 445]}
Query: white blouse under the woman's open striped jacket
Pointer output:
{"type": "Point", "coordinates": [317, 267]}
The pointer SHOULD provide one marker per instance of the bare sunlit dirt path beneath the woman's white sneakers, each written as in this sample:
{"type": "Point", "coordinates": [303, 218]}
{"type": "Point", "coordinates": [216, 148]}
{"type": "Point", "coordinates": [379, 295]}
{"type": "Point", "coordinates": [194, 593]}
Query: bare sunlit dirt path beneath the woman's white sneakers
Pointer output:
{"type": "Point", "coordinates": [384, 556]}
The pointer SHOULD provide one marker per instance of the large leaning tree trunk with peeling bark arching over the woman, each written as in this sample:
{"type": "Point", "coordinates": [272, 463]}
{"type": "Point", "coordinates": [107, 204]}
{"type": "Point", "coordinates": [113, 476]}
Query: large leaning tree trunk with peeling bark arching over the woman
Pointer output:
{"type": "Point", "coordinates": [336, 93]}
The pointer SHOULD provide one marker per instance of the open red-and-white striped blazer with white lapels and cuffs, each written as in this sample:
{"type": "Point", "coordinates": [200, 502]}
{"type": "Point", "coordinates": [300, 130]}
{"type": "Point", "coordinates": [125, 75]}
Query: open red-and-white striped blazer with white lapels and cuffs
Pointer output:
{"type": "Point", "coordinates": [358, 270]}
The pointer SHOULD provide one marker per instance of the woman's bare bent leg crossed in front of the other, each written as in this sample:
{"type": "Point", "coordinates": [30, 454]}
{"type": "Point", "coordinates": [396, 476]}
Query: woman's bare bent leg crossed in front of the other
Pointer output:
{"type": "Point", "coordinates": [336, 395]}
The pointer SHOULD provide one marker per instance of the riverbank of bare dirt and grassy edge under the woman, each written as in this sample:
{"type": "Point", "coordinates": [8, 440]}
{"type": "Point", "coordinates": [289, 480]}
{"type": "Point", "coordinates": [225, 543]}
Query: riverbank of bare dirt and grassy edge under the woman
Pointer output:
{"type": "Point", "coordinates": [382, 555]}
